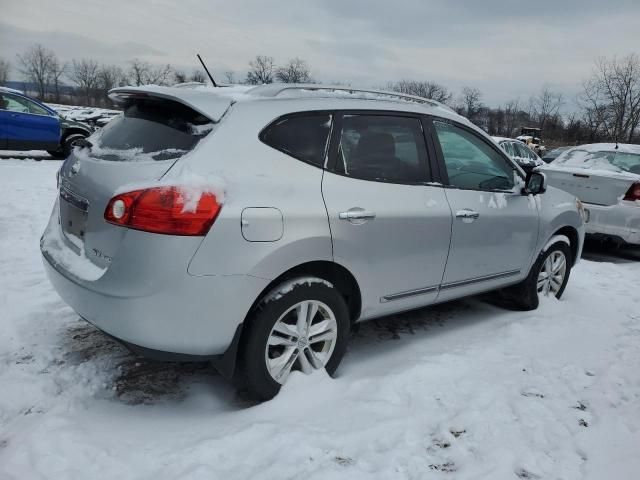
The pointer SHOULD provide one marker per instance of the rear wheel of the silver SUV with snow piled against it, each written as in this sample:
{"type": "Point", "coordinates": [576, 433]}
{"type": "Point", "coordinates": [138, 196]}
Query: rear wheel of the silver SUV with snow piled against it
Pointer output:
{"type": "Point", "coordinates": [264, 342]}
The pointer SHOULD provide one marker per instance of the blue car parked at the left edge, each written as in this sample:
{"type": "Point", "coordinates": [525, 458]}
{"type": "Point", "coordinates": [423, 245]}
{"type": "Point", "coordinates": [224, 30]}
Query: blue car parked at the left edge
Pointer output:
{"type": "Point", "coordinates": [27, 124]}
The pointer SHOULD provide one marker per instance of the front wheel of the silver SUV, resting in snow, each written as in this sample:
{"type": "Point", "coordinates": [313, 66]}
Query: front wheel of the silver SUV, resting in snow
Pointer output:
{"type": "Point", "coordinates": [525, 295]}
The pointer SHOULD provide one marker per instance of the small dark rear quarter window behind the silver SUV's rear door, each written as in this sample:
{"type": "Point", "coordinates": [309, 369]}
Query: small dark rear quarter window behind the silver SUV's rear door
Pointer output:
{"type": "Point", "coordinates": [304, 137]}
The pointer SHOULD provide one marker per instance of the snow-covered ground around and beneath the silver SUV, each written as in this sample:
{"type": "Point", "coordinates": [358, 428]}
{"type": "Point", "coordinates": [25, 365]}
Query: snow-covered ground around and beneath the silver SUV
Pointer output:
{"type": "Point", "coordinates": [465, 390]}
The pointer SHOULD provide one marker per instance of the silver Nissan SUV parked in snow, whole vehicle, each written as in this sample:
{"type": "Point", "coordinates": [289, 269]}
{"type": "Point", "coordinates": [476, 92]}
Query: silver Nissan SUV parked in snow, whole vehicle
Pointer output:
{"type": "Point", "coordinates": [254, 226]}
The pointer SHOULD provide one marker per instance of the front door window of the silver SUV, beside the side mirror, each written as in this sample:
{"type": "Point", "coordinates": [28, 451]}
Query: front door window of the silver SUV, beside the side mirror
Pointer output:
{"type": "Point", "coordinates": [471, 163]}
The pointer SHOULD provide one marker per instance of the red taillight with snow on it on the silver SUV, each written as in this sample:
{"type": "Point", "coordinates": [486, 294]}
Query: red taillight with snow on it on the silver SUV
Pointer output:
{"type": "Point", "coordinates": [167, 210]}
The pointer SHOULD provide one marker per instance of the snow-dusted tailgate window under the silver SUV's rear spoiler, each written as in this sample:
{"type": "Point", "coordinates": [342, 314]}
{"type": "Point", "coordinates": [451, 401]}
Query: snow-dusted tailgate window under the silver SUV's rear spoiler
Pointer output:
{"type": "Point", "coordinates": [151, 129]}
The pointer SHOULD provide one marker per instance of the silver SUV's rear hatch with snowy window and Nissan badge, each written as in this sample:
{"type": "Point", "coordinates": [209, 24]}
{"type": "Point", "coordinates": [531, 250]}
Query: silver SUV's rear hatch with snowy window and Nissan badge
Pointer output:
{"type": "Point", "coordinates": [137, 147]}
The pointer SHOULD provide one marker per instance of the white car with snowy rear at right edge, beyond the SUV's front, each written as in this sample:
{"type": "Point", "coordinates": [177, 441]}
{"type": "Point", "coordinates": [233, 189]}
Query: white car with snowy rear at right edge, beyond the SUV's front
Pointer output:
{"type": "Point", "coordinates": [606, 177]}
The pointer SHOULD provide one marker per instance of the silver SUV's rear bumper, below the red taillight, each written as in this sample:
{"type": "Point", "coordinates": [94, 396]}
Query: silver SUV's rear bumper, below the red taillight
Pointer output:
{"type": "Point", "coordinates": [193, 315]}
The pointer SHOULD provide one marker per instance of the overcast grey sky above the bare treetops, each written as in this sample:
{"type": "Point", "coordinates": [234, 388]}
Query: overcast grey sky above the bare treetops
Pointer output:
{"type": "Point", "coordinates": [505, 48]}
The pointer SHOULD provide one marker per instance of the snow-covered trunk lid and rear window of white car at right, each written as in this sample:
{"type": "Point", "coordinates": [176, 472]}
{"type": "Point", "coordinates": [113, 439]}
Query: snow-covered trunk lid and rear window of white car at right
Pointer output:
{"type": "Point", "coordinates": [597, 177]}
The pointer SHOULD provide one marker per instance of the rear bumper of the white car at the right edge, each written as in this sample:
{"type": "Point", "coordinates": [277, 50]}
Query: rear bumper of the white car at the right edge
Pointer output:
{"type": "Point", "coordinates": [620, 221]}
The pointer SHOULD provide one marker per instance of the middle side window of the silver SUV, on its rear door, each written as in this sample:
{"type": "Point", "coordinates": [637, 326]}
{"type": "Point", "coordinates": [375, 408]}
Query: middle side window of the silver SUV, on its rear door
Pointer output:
{"type": "Point", "coordinates": [382, 148]}
